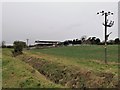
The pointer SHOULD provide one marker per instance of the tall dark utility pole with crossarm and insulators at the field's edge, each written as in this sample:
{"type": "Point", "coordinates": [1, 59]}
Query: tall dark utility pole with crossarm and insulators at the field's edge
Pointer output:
{"type": "Point", "coordinates": [106, 25]}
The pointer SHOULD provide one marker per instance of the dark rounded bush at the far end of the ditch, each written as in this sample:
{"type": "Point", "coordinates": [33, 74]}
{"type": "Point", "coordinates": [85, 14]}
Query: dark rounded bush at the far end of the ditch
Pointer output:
{"type": "Point", "coordinates": [18, 47]}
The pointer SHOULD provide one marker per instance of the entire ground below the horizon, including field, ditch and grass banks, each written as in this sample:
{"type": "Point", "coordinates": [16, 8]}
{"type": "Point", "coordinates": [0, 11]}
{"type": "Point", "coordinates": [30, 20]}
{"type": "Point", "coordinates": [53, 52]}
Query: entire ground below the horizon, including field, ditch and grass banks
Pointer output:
{"type": "Point", "coordinates": [61, 67]}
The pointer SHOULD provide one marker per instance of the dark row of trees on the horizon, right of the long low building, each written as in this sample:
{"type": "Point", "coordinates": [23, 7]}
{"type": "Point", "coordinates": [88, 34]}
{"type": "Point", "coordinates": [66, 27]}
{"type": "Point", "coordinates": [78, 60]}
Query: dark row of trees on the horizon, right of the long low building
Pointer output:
{"type": "Point", "coordinates": [89, 41]}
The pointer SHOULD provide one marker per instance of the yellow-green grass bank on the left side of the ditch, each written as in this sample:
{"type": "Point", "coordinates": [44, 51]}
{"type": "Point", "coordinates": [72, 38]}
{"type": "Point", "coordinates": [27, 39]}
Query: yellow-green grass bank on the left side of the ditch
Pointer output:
{"type": "Point", "coordinates": [18, 74]}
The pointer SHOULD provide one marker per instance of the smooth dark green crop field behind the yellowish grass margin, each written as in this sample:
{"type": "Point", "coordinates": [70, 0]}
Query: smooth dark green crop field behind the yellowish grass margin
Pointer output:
{"type": "Point", "coordinates": [93, 52]}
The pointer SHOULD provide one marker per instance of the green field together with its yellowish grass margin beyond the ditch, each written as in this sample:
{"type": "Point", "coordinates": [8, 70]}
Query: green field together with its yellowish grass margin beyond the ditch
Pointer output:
{"type": "Point", "coordinates": [89, 57]}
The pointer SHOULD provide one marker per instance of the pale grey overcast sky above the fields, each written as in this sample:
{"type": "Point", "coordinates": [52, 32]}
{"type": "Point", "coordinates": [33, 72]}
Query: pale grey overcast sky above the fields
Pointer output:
{"type": "Point", "coordinates": [55, 20]}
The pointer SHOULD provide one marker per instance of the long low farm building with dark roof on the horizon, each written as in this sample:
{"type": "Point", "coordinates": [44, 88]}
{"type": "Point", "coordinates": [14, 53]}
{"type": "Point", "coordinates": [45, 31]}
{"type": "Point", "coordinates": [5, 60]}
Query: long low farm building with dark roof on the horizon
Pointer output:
{"type": "Point", "coordinates": [40, 44]}
